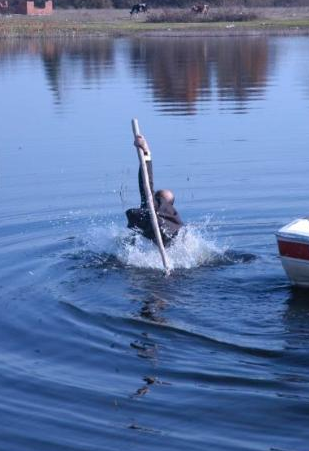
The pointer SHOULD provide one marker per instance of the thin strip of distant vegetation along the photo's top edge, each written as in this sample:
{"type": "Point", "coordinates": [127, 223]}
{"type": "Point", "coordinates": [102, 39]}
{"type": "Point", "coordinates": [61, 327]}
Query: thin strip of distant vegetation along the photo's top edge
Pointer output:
{"type": "Point", "coordinates": [176, 3]}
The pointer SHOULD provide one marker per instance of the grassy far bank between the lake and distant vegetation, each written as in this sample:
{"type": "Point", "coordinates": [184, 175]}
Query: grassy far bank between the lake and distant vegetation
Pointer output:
{"type": "Point", "coordinates": [118, 23]}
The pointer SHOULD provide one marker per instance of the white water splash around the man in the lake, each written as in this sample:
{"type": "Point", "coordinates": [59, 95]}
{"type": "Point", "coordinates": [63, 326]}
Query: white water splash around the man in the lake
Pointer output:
{"type": "Point", "coordinates": [194, 246]}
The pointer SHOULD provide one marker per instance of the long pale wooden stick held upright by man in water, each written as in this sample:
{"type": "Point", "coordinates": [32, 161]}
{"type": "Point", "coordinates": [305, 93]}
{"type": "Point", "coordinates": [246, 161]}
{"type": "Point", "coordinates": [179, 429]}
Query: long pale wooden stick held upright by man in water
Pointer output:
{"type": "Point", "coordinates": [150, 204]}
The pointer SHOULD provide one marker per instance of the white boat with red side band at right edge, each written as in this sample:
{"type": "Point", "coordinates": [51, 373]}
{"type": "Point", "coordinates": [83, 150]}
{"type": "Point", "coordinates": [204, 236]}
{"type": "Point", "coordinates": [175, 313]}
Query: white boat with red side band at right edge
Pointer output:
{"type": "Point", "coordinates": [293, 243]}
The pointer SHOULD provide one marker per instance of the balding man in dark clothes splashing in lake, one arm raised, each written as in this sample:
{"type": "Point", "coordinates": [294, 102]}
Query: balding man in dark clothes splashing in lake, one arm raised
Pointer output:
{"type": "Point", "coordinates": [168, 218]}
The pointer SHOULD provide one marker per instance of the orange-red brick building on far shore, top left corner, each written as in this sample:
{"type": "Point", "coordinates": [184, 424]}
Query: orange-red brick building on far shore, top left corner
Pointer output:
{"type": "Point", "coordinates": [27, 7]}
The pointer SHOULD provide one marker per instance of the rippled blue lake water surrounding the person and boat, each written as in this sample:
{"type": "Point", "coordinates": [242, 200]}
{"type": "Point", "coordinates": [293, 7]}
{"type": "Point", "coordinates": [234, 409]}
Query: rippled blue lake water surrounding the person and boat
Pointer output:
{"type": "Point", "coordinates": [100, 351]}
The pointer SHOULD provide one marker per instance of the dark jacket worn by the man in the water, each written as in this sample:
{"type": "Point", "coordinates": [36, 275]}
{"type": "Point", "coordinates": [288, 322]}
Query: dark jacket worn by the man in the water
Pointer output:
{"type": "Point", "coordinates": [168, 217]}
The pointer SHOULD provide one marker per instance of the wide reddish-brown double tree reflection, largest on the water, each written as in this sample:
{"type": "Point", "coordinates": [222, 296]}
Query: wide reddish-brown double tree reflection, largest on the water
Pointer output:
{"type": "Point", "coordinates": [184, 72]}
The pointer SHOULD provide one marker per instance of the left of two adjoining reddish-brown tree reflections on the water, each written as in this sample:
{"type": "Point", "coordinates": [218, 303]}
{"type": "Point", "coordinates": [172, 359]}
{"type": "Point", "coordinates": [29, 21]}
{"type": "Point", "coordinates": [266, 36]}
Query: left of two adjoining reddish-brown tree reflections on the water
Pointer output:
{"type": "Point", "coordinates": [176, 69]}
